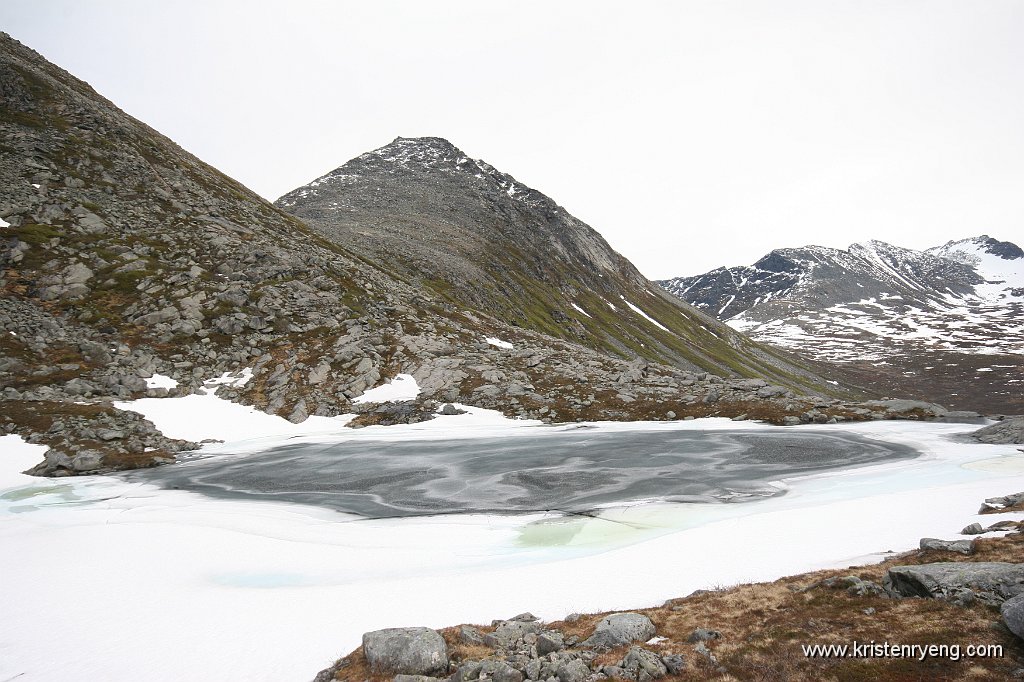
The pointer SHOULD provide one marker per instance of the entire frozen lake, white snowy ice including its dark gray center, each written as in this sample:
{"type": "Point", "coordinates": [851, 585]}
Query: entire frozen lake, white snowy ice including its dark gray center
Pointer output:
{"type": "Point", "coordinates": [116, 578]}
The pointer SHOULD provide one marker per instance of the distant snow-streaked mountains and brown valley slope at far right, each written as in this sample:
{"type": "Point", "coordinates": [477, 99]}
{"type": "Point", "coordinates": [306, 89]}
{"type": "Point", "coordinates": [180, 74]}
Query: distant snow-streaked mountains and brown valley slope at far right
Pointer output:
{"type": "Point", "coordinates": [943, 323]}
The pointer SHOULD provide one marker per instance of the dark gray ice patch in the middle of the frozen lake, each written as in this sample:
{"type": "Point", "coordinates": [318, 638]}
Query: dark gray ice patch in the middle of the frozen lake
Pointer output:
{"type": "Point", "coordinates": [572, 472]}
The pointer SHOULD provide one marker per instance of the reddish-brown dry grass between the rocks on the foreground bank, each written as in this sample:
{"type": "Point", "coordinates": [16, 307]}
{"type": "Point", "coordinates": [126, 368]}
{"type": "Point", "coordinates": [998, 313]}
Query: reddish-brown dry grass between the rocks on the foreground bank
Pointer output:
{"type": "Point", "coordinates": [763, 627]}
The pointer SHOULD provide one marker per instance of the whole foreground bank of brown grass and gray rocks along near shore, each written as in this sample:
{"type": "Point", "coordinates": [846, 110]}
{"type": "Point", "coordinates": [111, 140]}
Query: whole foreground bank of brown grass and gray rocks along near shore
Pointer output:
{"type": "Point", "coordinates": [938, 602]}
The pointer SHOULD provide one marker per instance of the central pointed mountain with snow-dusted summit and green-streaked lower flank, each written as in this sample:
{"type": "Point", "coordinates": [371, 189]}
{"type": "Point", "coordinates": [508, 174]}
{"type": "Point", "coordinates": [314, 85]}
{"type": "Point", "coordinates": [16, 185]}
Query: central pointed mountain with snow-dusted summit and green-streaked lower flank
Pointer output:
{"type": "Point", "coordinates": [477, 238]}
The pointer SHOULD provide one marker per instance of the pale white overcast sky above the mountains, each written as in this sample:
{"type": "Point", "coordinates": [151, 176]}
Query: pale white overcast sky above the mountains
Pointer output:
{"type": "Point", "coordinates": [691, 135]}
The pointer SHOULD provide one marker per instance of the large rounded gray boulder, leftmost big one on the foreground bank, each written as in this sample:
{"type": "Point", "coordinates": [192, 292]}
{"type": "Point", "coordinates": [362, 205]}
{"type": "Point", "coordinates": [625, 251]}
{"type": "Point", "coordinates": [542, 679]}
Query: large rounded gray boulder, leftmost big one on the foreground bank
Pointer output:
{"type": "Point", "coordinates": [406, 651]}
